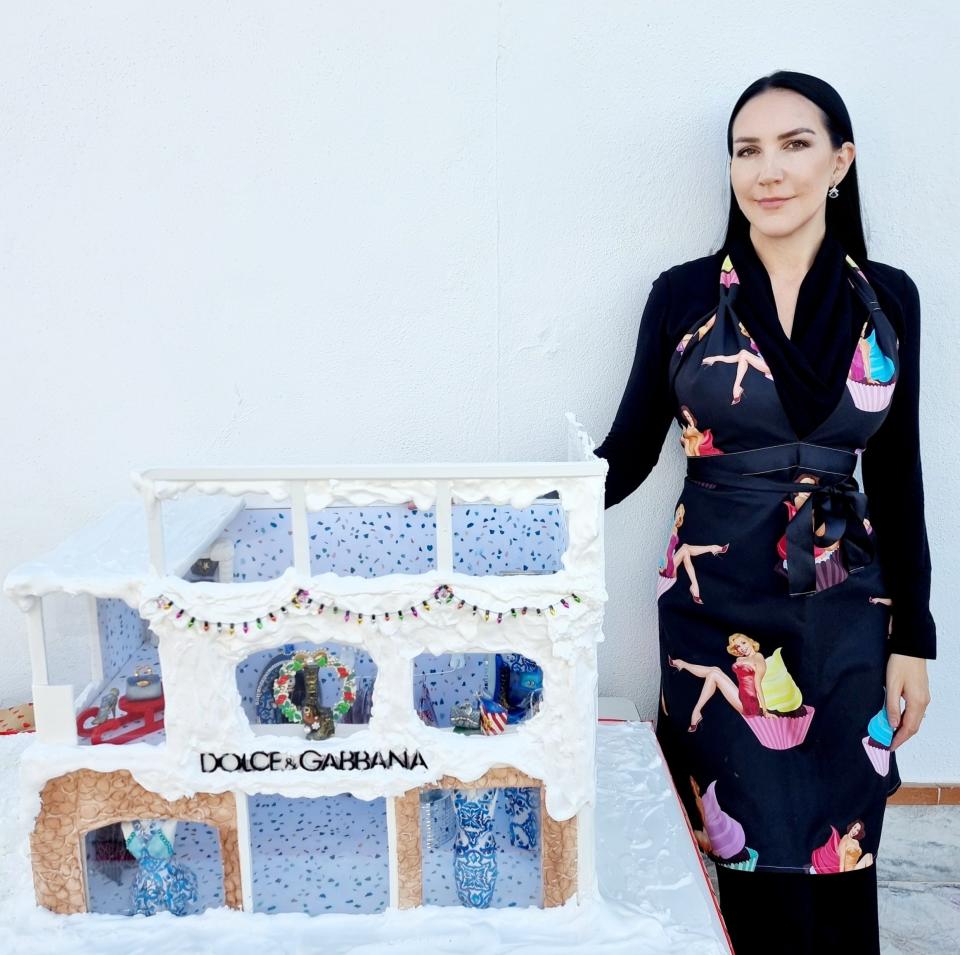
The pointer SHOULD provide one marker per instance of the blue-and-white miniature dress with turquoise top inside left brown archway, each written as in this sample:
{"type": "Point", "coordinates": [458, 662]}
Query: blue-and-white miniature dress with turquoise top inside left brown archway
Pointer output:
{"type": "Point", "coordinates": [161, 885]}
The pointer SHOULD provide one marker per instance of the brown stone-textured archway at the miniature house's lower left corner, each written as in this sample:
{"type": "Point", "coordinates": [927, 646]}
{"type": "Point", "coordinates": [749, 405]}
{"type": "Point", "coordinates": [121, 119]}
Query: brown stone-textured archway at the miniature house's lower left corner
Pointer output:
{"type": "Point", "coordinates": [77, 803]}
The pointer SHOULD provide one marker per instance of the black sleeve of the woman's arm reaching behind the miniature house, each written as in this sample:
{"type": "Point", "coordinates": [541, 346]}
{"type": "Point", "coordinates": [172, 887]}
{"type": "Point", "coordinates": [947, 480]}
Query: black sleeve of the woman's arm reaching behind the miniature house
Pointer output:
{"type": "Point", "coordinates": [636, 437]}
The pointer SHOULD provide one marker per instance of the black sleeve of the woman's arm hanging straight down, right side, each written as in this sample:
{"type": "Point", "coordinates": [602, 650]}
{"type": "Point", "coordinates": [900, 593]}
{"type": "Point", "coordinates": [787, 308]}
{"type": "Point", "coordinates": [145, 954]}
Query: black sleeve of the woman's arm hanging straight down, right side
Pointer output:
{"type": "Point", "coordinates": [893, 482]}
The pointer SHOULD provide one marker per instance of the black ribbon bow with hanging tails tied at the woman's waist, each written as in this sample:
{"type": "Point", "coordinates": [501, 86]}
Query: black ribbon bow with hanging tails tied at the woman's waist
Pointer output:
{"type": "Point", "coordinates": [840, 509]}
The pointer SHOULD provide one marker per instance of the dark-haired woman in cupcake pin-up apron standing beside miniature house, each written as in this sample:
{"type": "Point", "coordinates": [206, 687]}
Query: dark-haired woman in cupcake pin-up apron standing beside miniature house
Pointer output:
{"type": "Point", "coordinates": [793, 269]}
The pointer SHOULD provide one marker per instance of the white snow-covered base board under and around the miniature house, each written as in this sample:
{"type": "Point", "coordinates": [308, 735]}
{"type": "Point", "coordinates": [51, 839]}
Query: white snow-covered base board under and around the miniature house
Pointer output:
{"type": "Point", "coordinates": [654, 896]}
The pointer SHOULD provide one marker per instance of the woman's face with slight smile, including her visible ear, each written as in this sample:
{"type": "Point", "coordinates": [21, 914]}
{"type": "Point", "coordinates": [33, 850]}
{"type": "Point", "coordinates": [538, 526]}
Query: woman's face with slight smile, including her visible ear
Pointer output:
{"type": "Point", "coordinates": [782, 151]}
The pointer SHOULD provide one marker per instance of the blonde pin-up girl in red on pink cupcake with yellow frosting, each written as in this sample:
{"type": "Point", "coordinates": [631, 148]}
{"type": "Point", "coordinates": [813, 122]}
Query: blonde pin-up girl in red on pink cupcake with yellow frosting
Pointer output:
{"type": "Point", "coordinates": [764, 694]}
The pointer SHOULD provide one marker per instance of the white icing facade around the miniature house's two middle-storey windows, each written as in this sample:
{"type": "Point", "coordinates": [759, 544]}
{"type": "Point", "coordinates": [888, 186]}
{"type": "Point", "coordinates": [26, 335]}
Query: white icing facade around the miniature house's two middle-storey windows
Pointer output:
{"type": "Point", "coordinates": [204, 713]}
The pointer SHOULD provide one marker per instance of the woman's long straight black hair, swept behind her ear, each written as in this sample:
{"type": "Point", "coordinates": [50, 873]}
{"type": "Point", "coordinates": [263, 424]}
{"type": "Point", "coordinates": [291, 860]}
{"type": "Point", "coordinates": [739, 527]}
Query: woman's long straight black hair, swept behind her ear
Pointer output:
{"type": "Point", "coordinates": [844, 219]}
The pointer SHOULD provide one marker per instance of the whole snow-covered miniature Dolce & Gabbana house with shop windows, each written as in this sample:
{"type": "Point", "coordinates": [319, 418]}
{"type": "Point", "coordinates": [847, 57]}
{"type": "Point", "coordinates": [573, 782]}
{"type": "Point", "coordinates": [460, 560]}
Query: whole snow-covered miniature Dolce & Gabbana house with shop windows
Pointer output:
{"type": "Point", "coordinates": [331, 689]}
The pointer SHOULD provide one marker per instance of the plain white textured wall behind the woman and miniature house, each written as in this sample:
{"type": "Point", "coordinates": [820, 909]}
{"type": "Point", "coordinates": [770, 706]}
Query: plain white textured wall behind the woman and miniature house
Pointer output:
{"type": "Point", "coordinates": [420, 231]}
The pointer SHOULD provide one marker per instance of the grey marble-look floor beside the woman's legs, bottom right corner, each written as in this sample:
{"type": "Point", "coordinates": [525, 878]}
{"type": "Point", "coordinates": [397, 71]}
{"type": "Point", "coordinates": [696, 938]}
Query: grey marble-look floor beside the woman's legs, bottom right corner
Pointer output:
{"type": "Point", "coordinates": [918, 868]}
